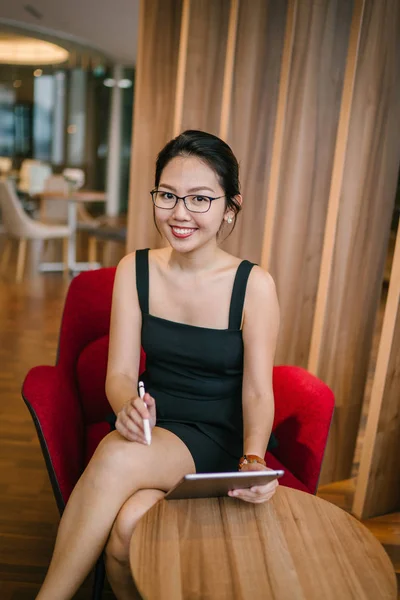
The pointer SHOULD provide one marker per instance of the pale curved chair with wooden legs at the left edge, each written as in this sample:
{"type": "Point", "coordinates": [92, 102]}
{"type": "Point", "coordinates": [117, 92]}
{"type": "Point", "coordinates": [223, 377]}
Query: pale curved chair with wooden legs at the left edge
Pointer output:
{"type": "Point", "coordinates": [18, 225]}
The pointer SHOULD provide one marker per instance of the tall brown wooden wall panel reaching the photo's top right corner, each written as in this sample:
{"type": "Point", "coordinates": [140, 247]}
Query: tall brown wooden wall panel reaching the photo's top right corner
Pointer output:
{"type": "Point", "coordinates": [365, 212]}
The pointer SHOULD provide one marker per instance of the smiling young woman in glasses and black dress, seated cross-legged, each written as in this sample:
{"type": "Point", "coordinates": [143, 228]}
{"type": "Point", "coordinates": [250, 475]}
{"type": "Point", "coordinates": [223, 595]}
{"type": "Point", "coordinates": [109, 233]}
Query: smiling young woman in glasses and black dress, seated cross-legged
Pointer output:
{"type": "Point", "coordinates": [208, 323]}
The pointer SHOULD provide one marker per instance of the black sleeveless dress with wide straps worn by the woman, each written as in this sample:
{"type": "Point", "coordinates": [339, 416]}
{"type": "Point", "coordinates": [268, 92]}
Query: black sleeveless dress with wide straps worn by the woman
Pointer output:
{"type": "Point", "coordinates": [195, 376]}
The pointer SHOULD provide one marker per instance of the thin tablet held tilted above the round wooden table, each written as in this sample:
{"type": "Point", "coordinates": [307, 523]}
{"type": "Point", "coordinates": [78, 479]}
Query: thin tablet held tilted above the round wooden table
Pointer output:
{"type": "Point", "coordinates": [212, 485]}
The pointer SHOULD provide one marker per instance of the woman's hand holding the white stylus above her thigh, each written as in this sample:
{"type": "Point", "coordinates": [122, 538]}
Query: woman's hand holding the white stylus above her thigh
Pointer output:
{"type": "Point", "coordinates": [129, 421]}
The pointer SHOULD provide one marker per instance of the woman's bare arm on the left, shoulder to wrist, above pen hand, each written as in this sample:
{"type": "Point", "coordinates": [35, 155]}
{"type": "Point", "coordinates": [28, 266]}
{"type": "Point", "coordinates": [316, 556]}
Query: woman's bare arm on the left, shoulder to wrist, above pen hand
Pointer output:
{"type": "Point", "coordinates": [125, 329]}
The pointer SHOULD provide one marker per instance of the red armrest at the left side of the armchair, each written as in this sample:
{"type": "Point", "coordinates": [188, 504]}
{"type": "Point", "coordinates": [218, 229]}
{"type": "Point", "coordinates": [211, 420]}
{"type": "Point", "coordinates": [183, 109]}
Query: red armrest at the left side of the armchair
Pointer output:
{"type": "Point", "coordinates": [53, 402]}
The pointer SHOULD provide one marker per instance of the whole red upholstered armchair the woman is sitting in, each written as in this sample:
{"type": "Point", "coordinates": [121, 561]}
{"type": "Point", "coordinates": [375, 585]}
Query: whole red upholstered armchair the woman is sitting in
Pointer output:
{"type": "Point", "coordinates": [68, 404]}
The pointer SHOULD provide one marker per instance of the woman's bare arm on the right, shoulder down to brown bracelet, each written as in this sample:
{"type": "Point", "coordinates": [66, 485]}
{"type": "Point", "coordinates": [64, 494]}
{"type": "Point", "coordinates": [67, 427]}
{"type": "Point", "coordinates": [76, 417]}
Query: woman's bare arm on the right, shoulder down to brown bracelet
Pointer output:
{"type": "Point", "coordinates": [260, 333]}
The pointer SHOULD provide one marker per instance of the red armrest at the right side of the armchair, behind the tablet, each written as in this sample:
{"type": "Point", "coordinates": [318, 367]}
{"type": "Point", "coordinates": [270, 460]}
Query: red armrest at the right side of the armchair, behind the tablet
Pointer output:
{"type": "Point", "coordinates": [303, 412]}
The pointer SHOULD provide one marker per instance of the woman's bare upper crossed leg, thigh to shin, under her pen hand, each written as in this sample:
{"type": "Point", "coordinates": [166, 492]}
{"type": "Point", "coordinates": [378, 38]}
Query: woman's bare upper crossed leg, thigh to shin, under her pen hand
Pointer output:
{"type": "Point", "coordinates": [117, 471]}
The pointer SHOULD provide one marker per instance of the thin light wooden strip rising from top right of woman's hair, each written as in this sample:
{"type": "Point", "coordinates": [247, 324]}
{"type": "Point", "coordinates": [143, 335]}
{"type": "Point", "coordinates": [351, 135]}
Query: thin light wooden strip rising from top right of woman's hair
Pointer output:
{"type": "Point", "coordinates": [229, 67]}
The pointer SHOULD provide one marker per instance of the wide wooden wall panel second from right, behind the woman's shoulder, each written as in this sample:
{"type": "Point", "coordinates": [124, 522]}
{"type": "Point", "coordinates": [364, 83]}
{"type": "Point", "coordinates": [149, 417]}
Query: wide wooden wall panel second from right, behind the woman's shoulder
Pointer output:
{"type": "Point", "coordinates": [297, 218]}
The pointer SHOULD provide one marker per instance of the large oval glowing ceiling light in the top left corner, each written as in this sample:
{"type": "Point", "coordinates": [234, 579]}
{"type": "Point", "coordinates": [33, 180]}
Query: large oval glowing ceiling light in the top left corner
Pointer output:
{"type": "Point", "coordinates": [19, 50]}
